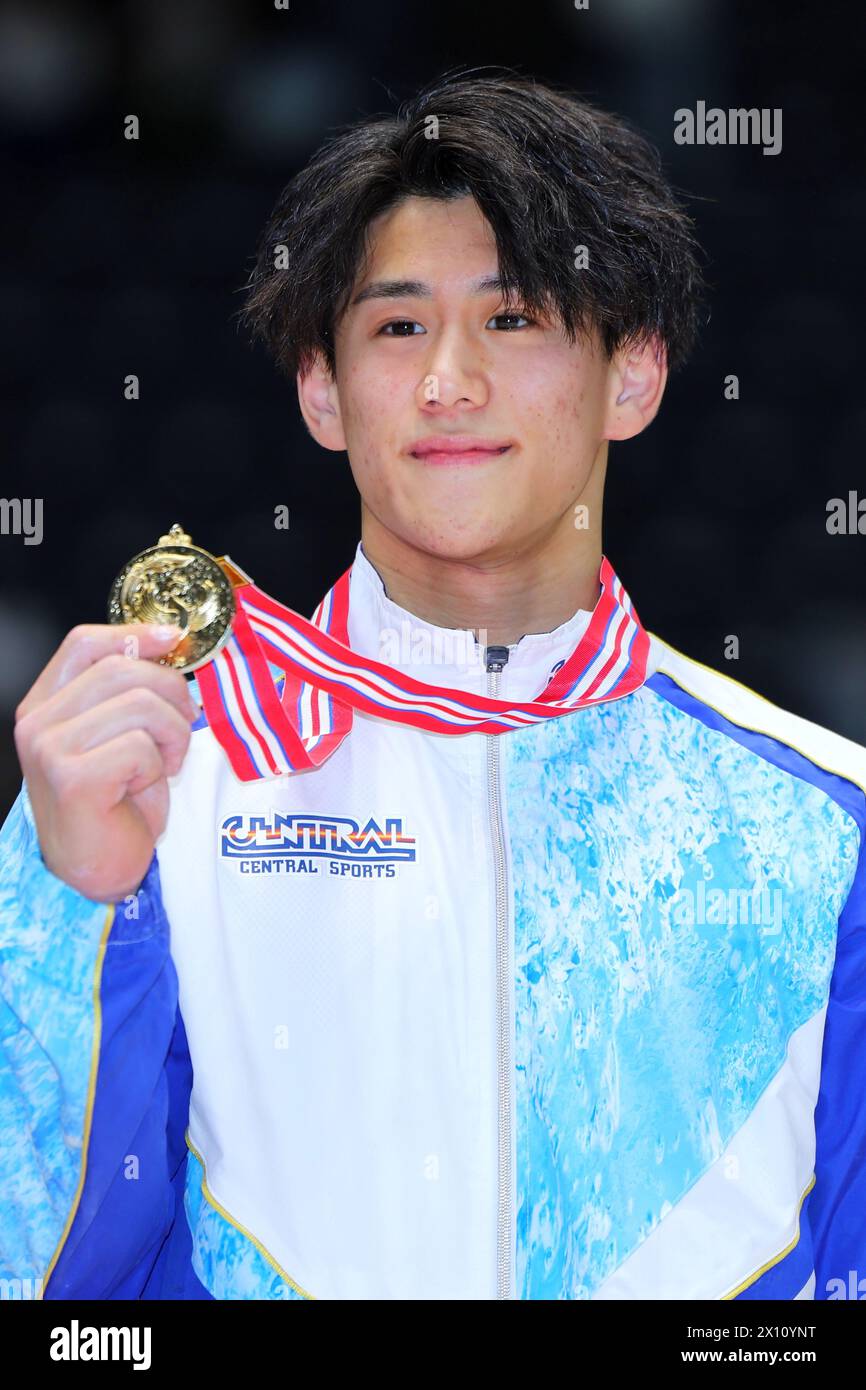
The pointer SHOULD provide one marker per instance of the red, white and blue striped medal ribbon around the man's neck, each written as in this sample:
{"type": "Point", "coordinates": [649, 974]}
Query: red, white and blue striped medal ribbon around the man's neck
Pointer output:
{"type": "Point", "coordinates": [266, 735]}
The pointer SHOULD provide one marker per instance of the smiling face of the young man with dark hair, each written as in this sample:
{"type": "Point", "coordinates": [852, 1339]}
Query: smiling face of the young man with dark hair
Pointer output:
{"type": "Point", "coordinates": [440, 359]}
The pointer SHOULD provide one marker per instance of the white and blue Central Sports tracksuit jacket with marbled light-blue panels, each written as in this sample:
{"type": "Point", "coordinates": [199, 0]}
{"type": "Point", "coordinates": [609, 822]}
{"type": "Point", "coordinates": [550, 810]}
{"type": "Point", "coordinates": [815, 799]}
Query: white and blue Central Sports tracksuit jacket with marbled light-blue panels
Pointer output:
{"type": "Point", "coordinates": [575, 1011]}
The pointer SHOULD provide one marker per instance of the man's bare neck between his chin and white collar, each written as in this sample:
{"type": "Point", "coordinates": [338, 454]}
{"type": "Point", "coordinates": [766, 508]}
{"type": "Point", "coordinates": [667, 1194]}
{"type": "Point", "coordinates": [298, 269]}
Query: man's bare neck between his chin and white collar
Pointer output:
{"type": "Point", "coordinates": [500, 598]}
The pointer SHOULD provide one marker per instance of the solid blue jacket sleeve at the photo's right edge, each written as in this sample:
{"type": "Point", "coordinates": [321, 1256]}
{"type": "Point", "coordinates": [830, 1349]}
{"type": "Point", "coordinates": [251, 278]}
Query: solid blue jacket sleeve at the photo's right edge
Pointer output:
{"type": "Point", "coordinates": [838, 1204]}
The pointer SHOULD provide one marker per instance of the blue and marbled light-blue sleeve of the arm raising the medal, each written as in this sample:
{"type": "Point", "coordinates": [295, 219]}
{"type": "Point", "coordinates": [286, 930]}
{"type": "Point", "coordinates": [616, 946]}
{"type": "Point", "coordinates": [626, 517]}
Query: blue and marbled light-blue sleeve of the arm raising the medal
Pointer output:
{"type": "Point", "coordinates": [94, 1079]}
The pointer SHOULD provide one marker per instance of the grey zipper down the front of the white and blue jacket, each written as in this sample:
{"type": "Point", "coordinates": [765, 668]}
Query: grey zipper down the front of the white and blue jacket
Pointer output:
{"type": "Point", "coordinates": [496, 660]}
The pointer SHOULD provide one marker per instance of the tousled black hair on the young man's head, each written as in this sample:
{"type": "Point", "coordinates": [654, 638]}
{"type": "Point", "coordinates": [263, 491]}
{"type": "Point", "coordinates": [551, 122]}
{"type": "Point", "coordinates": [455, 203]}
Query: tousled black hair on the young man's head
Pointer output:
{"type": "Point", "coordinates": [548, 170]}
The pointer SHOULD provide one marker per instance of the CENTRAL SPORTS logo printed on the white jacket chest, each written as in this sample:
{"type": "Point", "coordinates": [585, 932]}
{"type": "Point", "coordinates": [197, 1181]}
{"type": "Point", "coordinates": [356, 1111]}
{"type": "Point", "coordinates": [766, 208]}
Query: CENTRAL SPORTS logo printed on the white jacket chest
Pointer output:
{"type": "Point", "coordinates": [297, 842]}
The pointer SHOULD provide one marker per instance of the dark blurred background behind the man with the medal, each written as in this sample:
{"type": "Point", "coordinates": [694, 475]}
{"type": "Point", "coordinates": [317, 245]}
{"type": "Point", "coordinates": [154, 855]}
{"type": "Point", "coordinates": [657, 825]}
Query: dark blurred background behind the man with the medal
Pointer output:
{"type": "Point", "coordinates": [130, 256]}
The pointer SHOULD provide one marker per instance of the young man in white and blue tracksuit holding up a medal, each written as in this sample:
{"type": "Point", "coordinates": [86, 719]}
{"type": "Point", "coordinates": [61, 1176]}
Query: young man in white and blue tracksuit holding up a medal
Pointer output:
{"type": "Point", "coordinates": [541, 972]}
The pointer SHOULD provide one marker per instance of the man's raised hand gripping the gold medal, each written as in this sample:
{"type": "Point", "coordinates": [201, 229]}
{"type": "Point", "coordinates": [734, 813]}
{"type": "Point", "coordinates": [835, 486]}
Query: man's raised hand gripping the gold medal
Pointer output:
{"type": "Point", "coordinates": [98, 736]}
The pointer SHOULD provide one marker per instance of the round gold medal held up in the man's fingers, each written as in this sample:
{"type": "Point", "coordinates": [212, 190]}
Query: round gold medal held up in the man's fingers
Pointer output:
{"type": "Point", "coordinates": [177, 582]}
